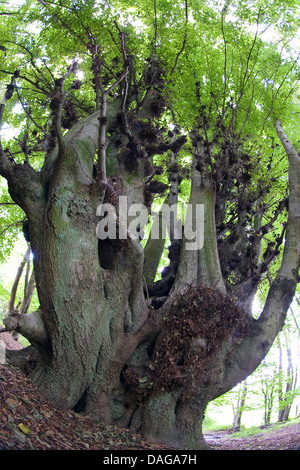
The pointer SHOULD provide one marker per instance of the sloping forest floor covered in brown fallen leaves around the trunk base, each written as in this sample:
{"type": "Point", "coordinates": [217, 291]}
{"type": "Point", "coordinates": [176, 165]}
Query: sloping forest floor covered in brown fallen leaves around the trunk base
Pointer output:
{"type": "Point", "coordinates": [29, 422]}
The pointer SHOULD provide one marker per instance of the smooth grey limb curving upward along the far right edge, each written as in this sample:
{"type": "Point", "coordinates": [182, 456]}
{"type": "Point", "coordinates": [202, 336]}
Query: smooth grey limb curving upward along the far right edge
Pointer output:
{"type": "Point", "coordinates": [263, 331]}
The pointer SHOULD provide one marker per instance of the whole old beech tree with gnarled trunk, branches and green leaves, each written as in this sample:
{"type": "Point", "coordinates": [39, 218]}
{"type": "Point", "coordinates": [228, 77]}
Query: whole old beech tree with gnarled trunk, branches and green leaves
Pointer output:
{"type": "Point", "coordinates": [150, 103]}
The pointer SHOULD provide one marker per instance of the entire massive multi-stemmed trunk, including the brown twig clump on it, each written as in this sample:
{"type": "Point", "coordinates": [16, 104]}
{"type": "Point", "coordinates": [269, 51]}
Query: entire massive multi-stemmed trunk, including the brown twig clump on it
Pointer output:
{"type": "Point", "coordinates": [98, 347]}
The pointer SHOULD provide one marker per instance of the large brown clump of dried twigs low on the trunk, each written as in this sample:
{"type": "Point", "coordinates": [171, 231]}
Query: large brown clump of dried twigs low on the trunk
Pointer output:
{"type": "Point", "coordinates": [202, 320]}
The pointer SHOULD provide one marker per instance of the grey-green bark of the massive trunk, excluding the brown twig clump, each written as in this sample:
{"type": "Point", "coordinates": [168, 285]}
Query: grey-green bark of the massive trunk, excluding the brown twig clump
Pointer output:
{"type": "Point", "coordinates": [85, 303]}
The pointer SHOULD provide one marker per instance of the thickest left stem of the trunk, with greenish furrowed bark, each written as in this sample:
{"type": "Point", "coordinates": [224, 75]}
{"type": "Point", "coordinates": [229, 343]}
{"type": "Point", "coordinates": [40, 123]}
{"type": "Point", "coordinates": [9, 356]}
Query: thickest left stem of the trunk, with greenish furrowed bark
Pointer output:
{"type": "Point", "coordinates": [89, 311]}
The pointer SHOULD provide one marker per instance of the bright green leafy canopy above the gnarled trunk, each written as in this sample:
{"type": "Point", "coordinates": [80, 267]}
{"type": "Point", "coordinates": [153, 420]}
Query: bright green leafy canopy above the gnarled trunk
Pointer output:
{"type": "Point", "coordinates": [224, 68]}
